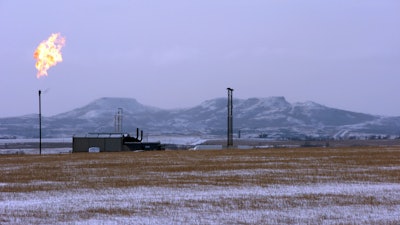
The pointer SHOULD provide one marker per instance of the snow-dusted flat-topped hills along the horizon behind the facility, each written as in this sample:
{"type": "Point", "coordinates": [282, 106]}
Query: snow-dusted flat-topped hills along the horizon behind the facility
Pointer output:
{"type": "Point", "coordinates": [272, 117]}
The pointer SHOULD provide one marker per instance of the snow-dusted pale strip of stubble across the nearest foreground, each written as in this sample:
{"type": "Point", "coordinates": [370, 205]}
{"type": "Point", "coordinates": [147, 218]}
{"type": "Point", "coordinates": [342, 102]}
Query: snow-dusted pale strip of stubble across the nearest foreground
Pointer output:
{"type": "Point", "coordinates": [366, 203]}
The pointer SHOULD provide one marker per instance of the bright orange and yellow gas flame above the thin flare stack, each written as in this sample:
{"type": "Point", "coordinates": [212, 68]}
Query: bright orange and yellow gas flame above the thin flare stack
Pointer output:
{"type": "Point", "coordinates": [48, 53]}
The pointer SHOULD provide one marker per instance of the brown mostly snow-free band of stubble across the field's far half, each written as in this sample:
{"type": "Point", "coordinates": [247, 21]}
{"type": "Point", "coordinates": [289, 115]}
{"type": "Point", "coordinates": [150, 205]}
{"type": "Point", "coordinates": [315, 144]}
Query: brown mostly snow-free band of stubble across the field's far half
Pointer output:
{"type": "Point", "coordinates": [262, 167]}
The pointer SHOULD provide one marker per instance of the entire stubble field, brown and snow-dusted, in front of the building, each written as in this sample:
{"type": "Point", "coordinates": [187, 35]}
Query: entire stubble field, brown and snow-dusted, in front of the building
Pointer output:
{"type": "Point", "coordinates": [358, 185]}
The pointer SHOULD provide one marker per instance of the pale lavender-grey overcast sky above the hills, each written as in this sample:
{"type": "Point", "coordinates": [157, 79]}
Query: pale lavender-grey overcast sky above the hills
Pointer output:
{"type": "Point", "coordinates": [173, 54]}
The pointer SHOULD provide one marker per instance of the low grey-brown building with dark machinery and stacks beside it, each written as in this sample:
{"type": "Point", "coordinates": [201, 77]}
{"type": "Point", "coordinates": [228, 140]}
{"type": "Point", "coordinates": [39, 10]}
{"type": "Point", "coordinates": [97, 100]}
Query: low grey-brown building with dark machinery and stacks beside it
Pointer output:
{"type": "Point", "coordinates": [112, 142]}
